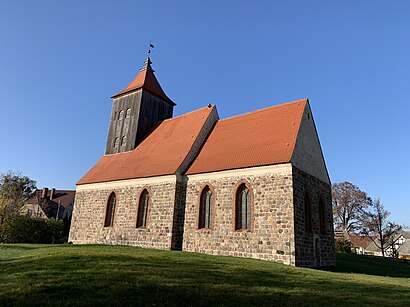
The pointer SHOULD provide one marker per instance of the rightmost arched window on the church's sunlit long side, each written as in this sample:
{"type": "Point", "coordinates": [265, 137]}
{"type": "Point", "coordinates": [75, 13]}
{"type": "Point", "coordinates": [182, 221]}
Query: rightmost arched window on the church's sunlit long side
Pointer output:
{"type": "Point", "coordinates": [243, 208]}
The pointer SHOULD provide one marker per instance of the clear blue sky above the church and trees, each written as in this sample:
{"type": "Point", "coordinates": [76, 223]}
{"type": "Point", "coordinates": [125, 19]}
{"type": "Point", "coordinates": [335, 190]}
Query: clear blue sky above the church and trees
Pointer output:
{"type": "Point", "coordinates": [60, 61]}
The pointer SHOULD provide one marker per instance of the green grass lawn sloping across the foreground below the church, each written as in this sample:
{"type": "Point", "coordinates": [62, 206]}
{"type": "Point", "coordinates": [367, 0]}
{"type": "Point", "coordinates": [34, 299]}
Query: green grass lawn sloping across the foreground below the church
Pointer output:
{"type": "Point", "coordinates": [120, 275]}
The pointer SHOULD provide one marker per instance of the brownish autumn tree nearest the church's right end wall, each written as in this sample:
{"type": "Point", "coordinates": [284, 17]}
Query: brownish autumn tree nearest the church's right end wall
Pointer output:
{"type": "Point", "coordinates": [349, 203]}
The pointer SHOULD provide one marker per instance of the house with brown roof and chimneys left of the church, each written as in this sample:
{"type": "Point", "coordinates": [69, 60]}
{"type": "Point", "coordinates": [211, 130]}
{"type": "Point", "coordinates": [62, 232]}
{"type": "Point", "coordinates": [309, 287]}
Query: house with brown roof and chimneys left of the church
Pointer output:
{"type": "Point", "coordinates": [50, 204]}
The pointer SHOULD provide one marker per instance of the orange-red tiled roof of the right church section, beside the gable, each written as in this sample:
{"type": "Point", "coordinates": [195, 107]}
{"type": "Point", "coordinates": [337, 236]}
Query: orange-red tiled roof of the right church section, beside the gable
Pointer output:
{"type": "Point", "coordinates": [262, 137]}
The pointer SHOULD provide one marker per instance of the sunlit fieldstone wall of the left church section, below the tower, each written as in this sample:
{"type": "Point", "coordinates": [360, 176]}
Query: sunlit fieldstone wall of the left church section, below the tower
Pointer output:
{"type": "Point", "coordinates": [89, 213]}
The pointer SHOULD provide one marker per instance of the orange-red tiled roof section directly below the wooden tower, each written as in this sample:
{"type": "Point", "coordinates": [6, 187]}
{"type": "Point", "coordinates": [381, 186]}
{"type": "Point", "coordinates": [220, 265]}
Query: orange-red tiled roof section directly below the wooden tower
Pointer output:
{"type": "Point", "coordinates": [161, 153]}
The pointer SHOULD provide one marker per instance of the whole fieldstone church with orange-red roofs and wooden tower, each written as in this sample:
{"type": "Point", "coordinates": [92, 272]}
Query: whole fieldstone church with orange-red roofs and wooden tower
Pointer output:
{"type": "Point", "coordinates": [253, 185]}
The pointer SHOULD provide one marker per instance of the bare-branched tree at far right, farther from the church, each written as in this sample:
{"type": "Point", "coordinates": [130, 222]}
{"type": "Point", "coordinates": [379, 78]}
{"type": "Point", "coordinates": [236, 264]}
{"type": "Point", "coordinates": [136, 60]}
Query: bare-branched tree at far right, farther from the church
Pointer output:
{"type": "Point", "coordinates": [376, 226]}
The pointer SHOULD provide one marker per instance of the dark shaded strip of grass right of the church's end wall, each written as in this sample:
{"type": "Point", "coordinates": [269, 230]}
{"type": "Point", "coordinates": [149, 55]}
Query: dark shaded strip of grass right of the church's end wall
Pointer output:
{"type": "Point", "coordinates": [370, 265]}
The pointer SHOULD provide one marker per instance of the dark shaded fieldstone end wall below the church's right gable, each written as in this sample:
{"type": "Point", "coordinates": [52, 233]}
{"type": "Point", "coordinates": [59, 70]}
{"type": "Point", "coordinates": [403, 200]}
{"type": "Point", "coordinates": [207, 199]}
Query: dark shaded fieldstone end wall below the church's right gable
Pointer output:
{"type": "Point", "coordinates": [306, 253]}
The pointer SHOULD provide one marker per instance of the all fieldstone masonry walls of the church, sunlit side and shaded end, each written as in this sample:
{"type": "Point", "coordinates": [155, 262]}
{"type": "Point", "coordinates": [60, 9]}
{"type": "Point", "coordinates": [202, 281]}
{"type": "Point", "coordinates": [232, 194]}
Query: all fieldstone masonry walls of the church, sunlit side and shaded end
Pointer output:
{"type": "Point", "coordinates": [278, 228]}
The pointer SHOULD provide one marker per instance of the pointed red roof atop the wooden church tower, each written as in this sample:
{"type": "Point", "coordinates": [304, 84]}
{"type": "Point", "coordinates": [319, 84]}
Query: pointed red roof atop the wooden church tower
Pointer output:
{"type": "Point", "coordinates": [147, 81]}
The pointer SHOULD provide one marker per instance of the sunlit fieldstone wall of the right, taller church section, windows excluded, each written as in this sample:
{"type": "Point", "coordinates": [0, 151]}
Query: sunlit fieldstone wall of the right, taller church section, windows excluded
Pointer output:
{"type": "Point", "coordinates": [271, 236]}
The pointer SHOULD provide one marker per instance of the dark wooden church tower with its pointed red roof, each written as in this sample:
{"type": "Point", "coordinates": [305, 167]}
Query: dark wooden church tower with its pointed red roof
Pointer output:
{"type": "Point", "coordinates": [135, 110]}
